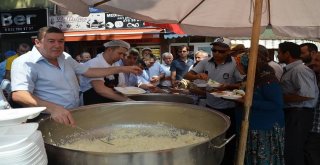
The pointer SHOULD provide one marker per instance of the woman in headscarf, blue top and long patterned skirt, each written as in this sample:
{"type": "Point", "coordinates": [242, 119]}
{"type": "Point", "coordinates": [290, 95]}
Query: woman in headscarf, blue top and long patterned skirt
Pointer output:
{"type": "Point", "coordinates": [265, 142]}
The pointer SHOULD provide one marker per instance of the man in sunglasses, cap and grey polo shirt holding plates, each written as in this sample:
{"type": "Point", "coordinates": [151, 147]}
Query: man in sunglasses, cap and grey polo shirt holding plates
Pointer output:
{"type": "Point", "coordinates": [223, 69]}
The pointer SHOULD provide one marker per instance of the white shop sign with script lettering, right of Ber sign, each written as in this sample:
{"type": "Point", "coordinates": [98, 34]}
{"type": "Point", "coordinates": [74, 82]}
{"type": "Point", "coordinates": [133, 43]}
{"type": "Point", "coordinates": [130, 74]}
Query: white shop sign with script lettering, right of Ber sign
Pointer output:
{"type": "Point", "coordinates": [74, 22]}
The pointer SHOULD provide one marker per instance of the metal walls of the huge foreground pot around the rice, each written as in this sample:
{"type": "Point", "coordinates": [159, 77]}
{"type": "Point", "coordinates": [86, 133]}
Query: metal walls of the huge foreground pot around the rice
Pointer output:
{"type": "Point", "coordinates": [182, 116]}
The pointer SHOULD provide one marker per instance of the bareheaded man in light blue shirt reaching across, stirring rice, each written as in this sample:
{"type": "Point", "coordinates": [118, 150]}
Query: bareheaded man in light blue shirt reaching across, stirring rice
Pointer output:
{"type": "Point", "coordinates": [47, 76]}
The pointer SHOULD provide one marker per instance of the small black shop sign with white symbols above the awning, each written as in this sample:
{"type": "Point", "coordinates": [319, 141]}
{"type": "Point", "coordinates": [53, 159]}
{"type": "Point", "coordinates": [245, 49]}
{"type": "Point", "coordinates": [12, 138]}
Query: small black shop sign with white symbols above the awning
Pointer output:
{"type": "Point", "coordinates": [114, 21]}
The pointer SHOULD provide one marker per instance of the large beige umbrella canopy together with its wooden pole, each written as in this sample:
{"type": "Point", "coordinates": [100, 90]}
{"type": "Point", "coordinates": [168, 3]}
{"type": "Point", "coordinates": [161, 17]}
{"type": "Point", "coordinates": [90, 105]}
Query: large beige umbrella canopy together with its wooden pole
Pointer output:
{"type": "Point", "coordinates": [228, 18]}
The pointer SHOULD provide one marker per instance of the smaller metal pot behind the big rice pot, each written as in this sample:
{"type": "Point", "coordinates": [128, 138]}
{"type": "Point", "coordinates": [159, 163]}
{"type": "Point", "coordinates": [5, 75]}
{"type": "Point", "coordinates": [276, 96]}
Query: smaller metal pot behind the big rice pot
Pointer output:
{"type": "Point", "coordinates": [163, 97]}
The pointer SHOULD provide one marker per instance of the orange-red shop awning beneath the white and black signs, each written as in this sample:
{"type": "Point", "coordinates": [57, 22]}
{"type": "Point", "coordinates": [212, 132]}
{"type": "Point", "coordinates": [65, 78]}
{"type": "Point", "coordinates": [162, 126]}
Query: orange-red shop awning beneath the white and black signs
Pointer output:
{"type": "Point", "coordinates": [112, 34]}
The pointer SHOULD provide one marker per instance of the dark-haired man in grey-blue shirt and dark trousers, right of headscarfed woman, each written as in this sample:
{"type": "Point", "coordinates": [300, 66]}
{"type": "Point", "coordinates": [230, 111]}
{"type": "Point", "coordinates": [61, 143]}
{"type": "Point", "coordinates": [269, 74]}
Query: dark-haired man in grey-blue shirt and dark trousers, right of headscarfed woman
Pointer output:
{"type": "Point", "coordinates": [300, 91]}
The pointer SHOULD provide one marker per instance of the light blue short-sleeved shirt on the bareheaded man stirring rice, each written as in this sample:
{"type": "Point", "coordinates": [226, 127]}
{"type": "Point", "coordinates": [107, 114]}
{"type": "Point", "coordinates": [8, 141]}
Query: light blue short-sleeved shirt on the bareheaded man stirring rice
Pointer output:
{"type": "Point", "coordinates": [32, 72]}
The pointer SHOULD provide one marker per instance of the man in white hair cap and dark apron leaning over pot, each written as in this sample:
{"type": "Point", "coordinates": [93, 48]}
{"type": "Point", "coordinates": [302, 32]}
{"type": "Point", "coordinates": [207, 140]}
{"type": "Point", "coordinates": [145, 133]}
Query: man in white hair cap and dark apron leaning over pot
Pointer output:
{"type": "Point", "coordinates": [100, 90]}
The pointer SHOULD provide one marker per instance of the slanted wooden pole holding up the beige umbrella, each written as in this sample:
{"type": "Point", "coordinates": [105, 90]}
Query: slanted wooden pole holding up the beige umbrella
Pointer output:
{"type": "Point", "coordinates": [250, 81]}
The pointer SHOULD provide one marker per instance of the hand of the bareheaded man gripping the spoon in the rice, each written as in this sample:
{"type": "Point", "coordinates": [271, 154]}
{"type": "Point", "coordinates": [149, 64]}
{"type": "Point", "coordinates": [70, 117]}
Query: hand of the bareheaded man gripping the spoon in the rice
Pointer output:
{"type": "Point", "coordinates": [63, 116]}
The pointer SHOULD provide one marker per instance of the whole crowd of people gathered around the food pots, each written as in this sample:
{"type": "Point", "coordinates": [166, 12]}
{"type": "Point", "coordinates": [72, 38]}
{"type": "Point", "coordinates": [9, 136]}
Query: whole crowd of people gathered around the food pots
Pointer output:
{"type": "Point", "coordinates": [285, 113]}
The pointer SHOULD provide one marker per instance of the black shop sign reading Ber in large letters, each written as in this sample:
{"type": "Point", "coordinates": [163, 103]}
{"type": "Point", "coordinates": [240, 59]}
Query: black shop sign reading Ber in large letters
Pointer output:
{"type": "Point", "coordinates": [23, 20]}
